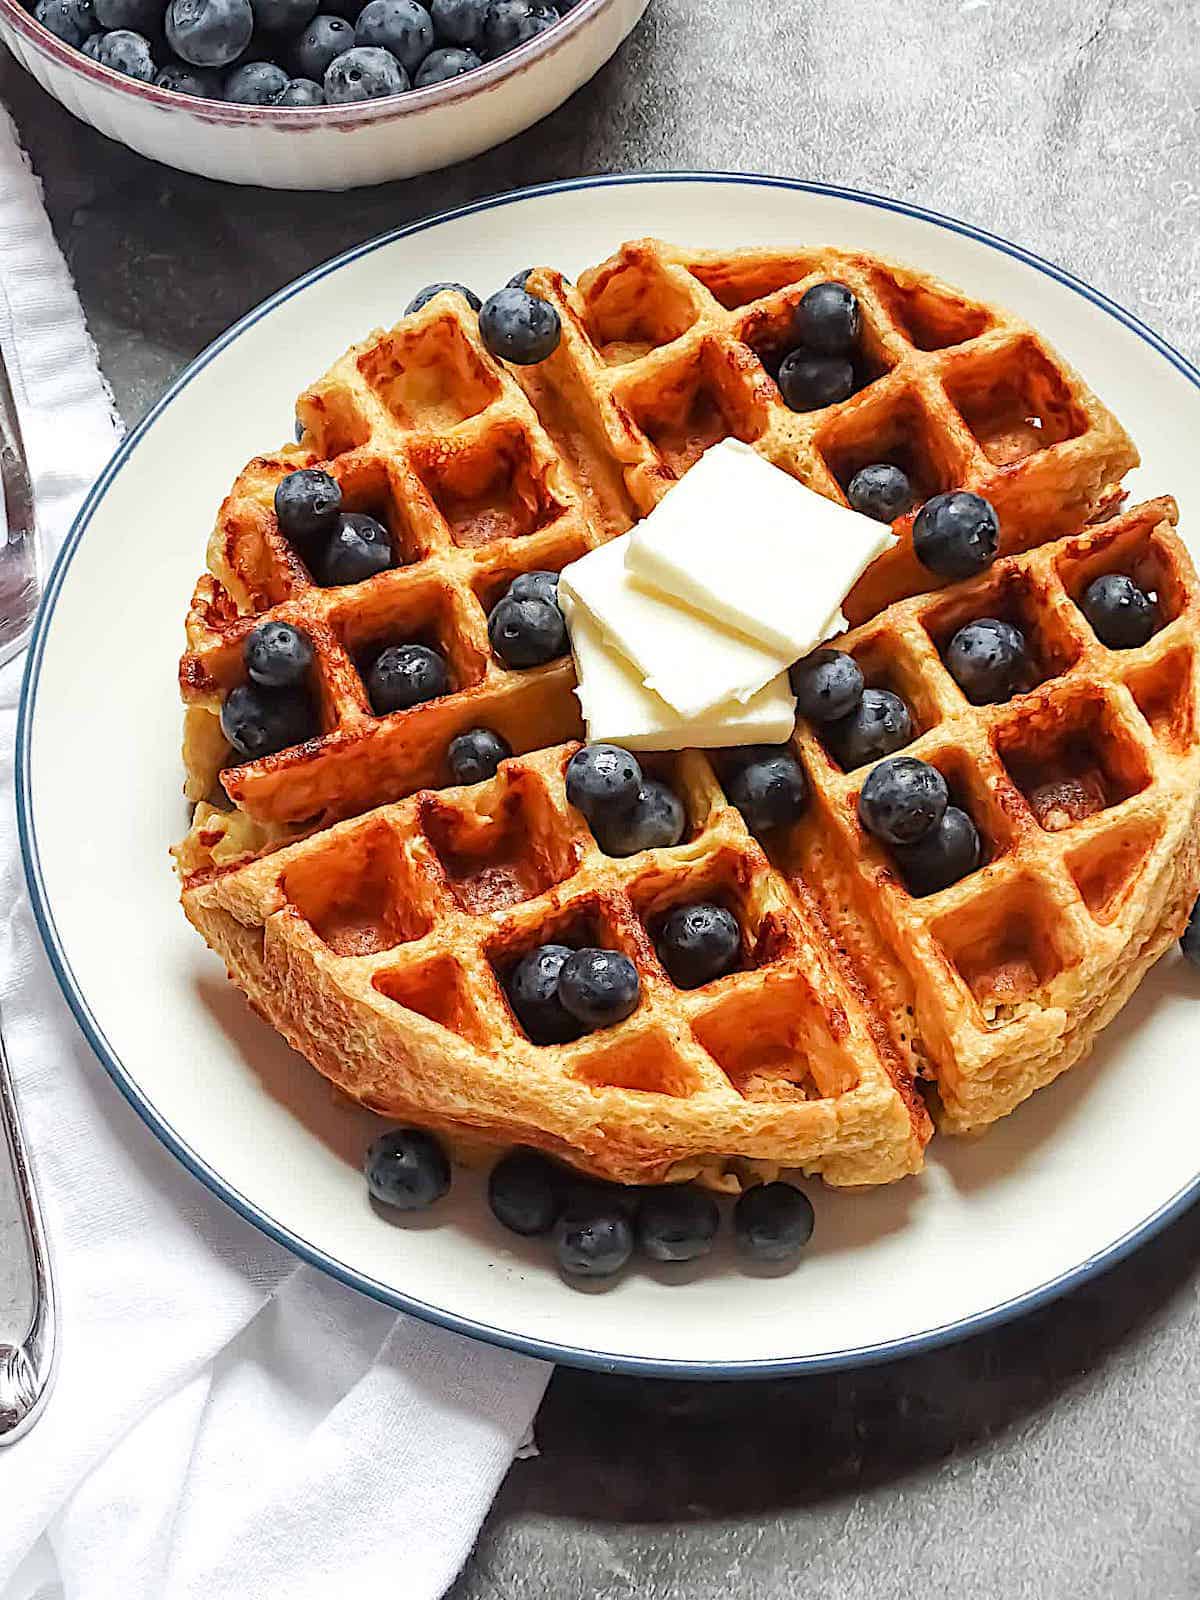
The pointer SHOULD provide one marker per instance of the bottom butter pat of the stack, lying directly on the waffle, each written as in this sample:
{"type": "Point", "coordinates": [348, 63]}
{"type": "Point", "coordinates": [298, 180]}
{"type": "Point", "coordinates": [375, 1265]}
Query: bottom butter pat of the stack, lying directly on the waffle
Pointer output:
{"type": "Point", "coordinates": [622, 711]}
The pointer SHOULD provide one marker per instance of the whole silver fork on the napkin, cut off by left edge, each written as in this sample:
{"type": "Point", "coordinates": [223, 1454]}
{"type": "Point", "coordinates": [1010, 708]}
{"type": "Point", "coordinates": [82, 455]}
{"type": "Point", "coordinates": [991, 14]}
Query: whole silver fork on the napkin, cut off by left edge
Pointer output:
{"type": "Point", "coordinates": [26, 1369]}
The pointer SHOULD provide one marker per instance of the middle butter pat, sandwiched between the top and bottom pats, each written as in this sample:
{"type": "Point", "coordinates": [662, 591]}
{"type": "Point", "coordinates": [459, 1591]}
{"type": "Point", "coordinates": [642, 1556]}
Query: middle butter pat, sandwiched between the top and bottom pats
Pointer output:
{"type": "Point", "coordinates": [692, 662]}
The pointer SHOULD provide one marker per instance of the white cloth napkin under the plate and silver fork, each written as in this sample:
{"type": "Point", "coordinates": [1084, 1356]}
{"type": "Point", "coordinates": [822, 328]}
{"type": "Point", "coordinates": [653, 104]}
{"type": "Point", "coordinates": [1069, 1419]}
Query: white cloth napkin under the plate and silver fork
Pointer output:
{"type": "Point", "coordinates": [228, 1423]}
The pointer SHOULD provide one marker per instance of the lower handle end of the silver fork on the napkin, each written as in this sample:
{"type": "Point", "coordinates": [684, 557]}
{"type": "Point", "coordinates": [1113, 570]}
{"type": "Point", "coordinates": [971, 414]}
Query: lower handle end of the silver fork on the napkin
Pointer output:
{"type": "Point", "coordinates": [26, 1369]}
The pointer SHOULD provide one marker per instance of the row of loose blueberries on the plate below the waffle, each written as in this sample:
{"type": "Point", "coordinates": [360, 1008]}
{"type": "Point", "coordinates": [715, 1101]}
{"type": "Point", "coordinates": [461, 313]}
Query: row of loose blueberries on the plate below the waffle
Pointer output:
{"type": "Point", "coordinates": [596, 1226]}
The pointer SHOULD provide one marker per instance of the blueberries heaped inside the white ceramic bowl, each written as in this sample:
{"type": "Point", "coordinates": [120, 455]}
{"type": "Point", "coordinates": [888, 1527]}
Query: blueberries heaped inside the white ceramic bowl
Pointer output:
{"type": "Point", "coordinates": [297, 52]}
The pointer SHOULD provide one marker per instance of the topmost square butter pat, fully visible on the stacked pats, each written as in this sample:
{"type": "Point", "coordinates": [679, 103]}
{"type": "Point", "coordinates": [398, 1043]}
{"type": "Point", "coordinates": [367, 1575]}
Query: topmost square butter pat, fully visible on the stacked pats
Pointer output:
{"type": "Point", "coordinates": [750, 546]}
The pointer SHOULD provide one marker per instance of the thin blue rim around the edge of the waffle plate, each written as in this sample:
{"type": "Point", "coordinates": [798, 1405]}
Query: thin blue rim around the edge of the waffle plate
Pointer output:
{"type": "Point", "coordinates": [545, 1350]}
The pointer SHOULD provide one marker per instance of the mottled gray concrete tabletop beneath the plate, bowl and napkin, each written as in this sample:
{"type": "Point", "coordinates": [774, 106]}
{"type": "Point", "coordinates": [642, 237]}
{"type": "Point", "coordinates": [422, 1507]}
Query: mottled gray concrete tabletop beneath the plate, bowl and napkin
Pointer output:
{"type": "Point", "coordinates": [1050, 1460]}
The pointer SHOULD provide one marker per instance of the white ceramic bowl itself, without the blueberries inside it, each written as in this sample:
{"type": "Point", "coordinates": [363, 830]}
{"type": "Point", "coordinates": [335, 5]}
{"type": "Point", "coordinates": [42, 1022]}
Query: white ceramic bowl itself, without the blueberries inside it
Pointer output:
{"type": "Point", "coordinates": [329, 146]}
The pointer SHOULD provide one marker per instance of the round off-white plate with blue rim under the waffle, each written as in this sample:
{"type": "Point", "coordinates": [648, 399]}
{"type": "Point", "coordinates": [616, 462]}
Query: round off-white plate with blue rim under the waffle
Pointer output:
{"type": "Point", "coordinates": [1060, 1190]}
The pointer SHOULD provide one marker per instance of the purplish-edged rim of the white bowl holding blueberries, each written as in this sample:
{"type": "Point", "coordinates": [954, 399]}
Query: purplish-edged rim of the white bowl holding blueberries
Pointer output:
{"type": "Point", "coordinates": [393, 106]}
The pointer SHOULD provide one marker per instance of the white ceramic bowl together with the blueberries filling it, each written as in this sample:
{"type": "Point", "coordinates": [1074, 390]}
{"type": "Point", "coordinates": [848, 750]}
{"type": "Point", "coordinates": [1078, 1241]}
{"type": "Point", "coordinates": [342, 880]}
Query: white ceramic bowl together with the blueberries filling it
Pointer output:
{"type": "Point", "coordinates": [313, 94]}
